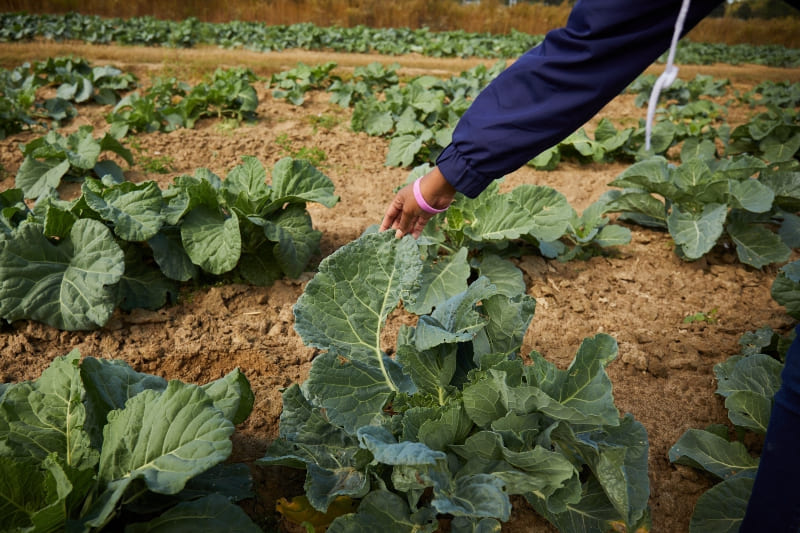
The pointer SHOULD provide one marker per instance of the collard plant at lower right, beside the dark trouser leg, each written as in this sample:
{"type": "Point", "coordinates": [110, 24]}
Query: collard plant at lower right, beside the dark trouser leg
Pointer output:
{"type": "Point", "coordinates": [748, 382]}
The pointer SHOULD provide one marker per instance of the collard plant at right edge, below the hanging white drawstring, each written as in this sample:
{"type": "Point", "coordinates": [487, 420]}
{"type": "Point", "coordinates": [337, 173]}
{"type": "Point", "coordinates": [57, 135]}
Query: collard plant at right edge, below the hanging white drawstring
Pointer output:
{"type": "Point", "coordinates": [704, 201]}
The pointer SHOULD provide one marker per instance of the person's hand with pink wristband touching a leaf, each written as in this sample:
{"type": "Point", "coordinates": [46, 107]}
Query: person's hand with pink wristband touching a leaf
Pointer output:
{"type": "Point", "coordinates": [405, 215]}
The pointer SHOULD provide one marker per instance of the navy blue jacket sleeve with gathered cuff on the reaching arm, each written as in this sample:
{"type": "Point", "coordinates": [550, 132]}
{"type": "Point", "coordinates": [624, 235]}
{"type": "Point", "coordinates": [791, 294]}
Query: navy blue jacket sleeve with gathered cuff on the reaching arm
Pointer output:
{"type": "Point", "coordinates": [559, 85]}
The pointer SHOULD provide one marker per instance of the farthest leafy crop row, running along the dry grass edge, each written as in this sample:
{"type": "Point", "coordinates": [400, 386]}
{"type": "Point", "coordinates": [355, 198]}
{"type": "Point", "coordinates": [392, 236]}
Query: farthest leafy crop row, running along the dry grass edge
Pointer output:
{"type": "Point", "coordinates": [150, 31]}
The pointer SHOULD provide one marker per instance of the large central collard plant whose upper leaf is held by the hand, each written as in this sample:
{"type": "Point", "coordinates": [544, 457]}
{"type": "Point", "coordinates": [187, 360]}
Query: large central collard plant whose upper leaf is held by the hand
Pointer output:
{"type": "Point", "coordinates": [453, 423]}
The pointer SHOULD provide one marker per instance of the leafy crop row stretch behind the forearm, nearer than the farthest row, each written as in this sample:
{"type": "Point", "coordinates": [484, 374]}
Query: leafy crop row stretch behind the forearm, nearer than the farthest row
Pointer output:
{"type": "Point", "coordinates": [419, 116]}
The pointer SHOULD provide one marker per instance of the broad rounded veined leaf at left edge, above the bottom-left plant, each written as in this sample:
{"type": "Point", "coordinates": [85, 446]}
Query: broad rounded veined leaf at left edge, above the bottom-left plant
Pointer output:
{"type": "Point", "coordinates": [70, 285]}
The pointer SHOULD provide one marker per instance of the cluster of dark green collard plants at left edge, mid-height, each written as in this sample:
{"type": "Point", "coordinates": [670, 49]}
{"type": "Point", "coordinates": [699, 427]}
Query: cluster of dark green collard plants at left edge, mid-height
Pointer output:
{"type": "Point", "coordinates": [70, 264]}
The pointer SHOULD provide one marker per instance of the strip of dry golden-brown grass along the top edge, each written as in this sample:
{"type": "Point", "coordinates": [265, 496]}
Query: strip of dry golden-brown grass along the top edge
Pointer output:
{"type": "Point", "coordinates": [488, 16]}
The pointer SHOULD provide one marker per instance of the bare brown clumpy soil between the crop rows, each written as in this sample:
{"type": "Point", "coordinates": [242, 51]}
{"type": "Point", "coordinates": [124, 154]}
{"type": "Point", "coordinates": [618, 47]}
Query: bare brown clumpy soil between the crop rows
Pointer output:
{"type": "Point", "coordinates": [640, 294]}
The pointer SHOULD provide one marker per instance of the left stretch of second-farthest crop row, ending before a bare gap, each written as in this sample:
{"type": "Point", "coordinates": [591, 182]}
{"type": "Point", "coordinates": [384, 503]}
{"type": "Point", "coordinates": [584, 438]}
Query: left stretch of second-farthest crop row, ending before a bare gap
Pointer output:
{"type": "Point", "coordinates": [166, 104]}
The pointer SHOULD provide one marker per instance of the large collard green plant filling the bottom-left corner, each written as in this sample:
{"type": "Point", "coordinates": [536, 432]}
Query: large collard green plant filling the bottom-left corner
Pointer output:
{"type": "Point", "coordinates": [90, 440]}
